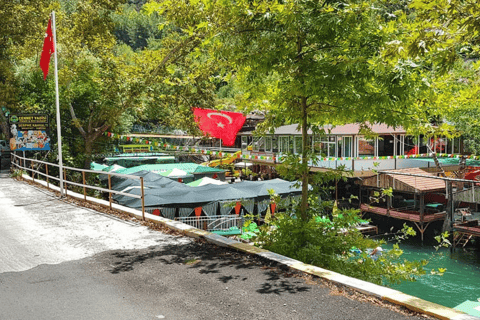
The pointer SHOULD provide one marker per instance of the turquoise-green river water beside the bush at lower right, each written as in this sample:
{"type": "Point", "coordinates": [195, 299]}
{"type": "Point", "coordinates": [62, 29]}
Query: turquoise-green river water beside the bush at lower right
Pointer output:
{"type": "Point", "coordinates": [460, 282]}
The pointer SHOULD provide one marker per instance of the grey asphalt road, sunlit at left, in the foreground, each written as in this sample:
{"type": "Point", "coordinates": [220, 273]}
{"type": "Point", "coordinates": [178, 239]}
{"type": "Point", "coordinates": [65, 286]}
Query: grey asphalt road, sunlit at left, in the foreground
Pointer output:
{"type": "Point", "coordinates": [60, 261]}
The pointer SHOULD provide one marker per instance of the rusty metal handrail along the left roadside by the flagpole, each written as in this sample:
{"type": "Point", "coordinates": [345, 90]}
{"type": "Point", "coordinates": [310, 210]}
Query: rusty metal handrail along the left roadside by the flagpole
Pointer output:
{"type": "Point", "coordinates": [16, 160]}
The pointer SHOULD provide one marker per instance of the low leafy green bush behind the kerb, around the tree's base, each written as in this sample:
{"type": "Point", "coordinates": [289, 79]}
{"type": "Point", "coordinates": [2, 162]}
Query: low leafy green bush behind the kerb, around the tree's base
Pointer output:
{"type": "Point", "coordinates": [335, 244]}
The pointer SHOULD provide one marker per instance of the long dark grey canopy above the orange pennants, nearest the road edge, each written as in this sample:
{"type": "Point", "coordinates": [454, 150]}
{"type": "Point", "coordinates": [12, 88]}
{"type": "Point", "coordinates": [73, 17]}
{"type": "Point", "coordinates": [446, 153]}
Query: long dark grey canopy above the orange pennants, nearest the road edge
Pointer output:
{"type": "Point", "coordinates": [186, 196]}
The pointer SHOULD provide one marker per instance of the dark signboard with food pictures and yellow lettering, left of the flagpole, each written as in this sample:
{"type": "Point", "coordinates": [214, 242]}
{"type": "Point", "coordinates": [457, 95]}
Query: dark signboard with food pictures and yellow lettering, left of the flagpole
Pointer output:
{"type": "Point", "coordinates": [29, 132]}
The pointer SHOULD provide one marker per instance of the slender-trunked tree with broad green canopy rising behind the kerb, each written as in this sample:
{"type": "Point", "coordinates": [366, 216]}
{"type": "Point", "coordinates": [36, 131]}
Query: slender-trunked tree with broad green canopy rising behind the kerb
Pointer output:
{"type": "Point", "coordinates": [323, 59]}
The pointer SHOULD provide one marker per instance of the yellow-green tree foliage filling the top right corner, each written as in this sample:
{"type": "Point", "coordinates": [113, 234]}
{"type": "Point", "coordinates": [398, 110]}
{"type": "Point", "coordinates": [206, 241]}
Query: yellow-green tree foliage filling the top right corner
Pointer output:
{"type": "Point", "coordinates": [444, 38]}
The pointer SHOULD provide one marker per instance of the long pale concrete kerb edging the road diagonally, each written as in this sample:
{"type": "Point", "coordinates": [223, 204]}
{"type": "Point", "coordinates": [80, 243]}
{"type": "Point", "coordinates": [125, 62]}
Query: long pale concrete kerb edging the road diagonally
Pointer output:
{"type": "Point", "coordinates": [381, 292]}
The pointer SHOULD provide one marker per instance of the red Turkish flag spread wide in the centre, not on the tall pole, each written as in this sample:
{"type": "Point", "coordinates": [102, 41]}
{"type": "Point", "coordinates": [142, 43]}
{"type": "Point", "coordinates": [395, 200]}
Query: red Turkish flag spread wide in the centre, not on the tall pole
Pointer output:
{"type": "Point", "coordinates": [219, 124]}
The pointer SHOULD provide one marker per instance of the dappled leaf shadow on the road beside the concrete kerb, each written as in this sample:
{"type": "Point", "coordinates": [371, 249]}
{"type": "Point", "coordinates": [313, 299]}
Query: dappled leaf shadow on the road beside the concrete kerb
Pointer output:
{"type": "Point", "coordinates": [224, 264]}
